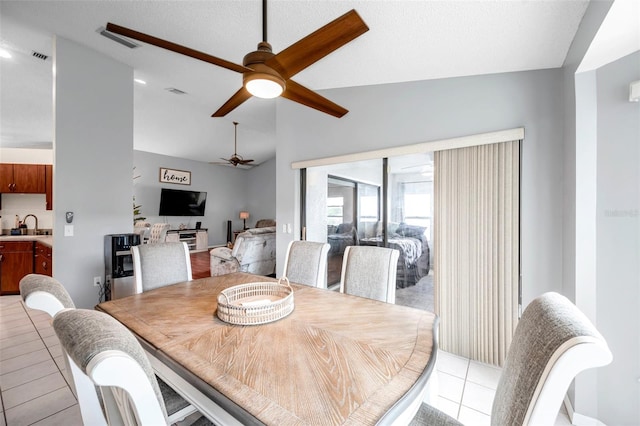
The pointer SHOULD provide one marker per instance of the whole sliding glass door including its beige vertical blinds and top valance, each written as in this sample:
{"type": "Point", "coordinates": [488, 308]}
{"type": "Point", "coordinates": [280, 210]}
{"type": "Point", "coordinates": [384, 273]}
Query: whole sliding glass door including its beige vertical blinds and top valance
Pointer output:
{"type": "Point", "coordinates": [455, 222]}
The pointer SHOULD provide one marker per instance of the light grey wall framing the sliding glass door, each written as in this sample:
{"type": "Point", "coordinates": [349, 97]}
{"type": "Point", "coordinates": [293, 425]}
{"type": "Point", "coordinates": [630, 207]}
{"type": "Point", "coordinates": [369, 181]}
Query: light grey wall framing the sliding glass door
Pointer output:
{"type": "Point", "coordinates": [402, 114]}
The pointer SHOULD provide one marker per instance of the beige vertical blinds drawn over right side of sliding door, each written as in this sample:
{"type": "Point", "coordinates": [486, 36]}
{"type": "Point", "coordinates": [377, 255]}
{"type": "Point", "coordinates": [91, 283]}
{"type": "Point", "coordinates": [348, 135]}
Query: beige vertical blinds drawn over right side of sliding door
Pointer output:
{"type": "Point", "coordinates": [477, 249]}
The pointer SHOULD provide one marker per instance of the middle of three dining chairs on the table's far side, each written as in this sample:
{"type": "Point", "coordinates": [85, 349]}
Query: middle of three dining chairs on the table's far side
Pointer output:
{"type": "Point", "coordinates": [306, 263]}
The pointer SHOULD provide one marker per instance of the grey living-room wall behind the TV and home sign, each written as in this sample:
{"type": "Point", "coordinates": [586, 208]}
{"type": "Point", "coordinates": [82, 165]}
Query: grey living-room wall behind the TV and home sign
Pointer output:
{"type": "Point", "coordinates": [225, 188]}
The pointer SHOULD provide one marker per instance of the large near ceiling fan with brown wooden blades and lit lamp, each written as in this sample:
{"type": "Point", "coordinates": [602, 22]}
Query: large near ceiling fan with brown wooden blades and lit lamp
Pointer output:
{"type": "Point", "coordinates": [265, 74]}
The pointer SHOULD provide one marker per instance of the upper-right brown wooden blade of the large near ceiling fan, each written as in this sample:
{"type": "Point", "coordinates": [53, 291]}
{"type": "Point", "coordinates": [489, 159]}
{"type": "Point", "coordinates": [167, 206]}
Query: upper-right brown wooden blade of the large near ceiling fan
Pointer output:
{"type": "Point", "coordinates": [318, 44]}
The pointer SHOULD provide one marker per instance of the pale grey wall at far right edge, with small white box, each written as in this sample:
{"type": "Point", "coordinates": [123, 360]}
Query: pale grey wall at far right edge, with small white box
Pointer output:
{"type": "Point", "coordinates": [618, 239]}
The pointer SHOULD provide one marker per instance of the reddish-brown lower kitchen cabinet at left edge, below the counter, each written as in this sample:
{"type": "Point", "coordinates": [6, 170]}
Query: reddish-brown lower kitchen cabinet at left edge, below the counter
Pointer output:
{"type": "Point", "coordinates": [16, 261]}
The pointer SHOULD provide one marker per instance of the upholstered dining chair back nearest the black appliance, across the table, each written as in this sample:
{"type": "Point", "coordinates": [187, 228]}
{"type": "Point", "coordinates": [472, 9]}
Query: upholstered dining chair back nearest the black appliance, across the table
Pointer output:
{"type": "Point", "coordinates": [158, 265]}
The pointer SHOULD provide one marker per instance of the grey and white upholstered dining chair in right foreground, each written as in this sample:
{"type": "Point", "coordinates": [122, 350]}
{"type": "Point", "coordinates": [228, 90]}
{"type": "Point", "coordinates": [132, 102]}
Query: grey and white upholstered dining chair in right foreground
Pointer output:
{"type": "Point", "coordinates": [553, 342]}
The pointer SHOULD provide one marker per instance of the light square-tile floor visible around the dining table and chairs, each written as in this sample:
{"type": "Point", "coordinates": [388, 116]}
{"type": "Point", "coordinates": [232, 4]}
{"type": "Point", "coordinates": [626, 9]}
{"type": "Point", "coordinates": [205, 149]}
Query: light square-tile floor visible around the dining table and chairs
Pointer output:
{"type": "Point", "coordinates": [34, 391]}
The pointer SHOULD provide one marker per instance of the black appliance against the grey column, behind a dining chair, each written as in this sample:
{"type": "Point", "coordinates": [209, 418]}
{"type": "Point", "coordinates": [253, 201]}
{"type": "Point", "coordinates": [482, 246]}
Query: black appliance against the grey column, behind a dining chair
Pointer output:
{"type": "Point", "coordinates": [118, 263]}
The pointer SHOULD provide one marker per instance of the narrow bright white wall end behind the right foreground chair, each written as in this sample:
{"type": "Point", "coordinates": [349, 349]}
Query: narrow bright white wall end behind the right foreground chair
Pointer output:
{"type": "Point", "coordinates": [578, 255]}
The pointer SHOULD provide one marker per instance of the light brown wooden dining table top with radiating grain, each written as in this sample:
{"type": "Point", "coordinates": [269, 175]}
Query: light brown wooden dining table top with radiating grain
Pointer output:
{"type": "Point", "coordinates": [336, 359]}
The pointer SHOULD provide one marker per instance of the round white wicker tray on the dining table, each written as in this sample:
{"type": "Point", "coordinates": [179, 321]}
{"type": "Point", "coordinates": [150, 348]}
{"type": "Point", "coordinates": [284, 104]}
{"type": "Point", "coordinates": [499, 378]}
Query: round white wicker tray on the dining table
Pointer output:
{"type": "Point", "coordinates": [255, 303]}
